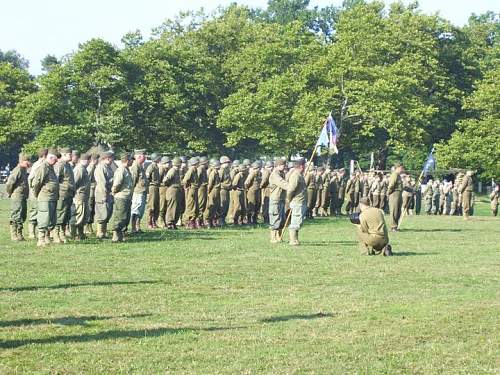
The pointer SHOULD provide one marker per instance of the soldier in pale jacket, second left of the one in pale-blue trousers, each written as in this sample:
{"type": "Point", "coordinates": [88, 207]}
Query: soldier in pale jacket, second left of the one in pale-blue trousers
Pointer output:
{"type": "Point", "coordinates": [103, 175]}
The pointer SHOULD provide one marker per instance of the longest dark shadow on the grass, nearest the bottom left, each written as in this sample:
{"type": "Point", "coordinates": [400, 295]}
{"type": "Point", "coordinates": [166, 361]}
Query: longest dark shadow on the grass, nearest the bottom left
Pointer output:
{"type": "Point", "coordinates": [111, 335]}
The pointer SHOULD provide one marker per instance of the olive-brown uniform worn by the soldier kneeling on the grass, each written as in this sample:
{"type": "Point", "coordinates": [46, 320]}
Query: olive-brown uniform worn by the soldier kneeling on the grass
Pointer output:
{"type": "Point", "coordinates": [372, 231]}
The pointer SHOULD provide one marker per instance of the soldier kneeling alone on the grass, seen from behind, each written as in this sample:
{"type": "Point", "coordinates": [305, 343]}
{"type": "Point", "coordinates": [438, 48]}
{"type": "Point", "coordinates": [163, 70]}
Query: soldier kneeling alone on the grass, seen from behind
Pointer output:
{"type": "Point", "coordinates": [372, 230]}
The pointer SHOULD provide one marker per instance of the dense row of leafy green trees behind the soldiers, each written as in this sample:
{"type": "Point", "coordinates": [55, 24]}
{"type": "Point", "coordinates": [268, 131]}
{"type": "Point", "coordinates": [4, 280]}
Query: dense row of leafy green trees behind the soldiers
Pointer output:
{"type": "Point", "coordinates": [261, 81]}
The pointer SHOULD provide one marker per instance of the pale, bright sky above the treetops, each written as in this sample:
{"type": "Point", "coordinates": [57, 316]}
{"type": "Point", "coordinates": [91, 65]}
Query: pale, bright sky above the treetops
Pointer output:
{"type": "Point", "coordinates": [36, 28]}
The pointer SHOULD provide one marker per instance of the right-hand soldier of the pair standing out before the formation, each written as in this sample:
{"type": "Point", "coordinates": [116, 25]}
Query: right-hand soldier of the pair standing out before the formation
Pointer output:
{"type": "Point", "coordinates": [296, 194]}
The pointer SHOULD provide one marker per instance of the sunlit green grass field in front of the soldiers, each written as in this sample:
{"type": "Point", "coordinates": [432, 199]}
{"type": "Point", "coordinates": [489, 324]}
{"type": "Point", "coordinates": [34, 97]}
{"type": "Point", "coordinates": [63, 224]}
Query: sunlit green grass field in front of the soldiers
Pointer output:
{"type": "Point", "coordinates": [225, 301]}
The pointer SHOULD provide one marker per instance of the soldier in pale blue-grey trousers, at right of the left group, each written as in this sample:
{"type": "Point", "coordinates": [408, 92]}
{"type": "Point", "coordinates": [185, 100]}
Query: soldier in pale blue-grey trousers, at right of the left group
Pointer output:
{"type": "Point", "coordinates": [139, 190]}
